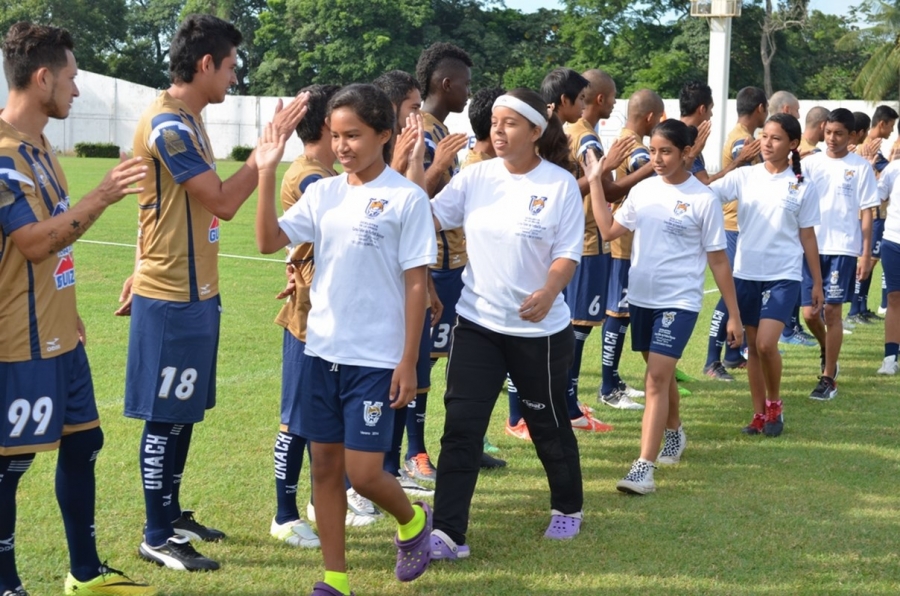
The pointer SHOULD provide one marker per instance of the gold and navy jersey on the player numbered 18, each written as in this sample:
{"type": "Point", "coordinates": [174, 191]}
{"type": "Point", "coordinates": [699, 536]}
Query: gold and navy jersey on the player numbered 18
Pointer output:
{"type": "Point", "coordinates": [179, 237]}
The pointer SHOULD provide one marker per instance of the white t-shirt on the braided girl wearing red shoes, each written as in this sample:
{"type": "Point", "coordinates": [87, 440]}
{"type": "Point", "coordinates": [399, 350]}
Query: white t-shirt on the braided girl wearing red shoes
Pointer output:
{"type": "Point", "coordinates": [771, 208]}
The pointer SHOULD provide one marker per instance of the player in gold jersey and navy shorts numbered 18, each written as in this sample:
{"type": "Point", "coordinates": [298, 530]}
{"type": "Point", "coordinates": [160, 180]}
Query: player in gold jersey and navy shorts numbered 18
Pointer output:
{"type": "Point", "coordinates": [175, 308]}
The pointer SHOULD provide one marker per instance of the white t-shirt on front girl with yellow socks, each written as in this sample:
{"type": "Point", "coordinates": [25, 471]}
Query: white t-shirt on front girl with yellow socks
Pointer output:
{"type": "Point", "coordinates": [366, 237]}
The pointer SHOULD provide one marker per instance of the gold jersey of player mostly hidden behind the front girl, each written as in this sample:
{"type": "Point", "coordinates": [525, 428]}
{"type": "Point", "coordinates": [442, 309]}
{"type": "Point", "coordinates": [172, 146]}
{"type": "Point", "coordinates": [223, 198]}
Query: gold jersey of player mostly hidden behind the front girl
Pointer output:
{"type": "Point", "coordinates": [293, 315]}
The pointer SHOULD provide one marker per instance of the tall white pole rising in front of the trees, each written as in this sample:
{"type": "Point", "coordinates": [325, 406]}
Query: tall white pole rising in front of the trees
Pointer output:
{"type": "Point", "coordinates": [719, 62]}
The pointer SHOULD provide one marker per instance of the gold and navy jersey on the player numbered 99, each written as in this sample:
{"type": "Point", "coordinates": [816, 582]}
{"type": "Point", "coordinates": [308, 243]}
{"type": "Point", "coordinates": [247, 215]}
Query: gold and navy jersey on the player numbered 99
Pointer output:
{"type": "Point", "coordinates": [37, 301]}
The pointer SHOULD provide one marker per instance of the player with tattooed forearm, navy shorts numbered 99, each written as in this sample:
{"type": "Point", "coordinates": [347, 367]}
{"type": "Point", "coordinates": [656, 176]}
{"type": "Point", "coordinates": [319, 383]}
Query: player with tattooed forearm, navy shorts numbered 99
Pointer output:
{"type": "Point", "coordinates": [47, 397]}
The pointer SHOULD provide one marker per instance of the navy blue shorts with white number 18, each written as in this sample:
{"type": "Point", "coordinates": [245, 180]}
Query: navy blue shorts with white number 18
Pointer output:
{"type": "Point", "coordinates": [172, 349]}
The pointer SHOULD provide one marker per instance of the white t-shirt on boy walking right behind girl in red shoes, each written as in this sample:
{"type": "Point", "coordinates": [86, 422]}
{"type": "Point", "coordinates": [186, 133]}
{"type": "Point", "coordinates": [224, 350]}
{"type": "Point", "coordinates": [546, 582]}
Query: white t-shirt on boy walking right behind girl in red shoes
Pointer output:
{"type": "Point", "coordinates": [844, 186]}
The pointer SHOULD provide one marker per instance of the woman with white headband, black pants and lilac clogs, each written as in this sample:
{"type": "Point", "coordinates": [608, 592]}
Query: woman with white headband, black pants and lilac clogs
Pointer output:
{"type": "Point", "coordinates": [524, 224]}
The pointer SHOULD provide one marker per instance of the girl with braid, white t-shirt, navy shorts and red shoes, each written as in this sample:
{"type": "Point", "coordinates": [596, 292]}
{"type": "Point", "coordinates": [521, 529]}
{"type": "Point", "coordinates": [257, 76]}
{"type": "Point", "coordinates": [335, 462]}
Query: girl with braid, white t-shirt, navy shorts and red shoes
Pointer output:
{"type": "Point", "coordinates": [777, 209]}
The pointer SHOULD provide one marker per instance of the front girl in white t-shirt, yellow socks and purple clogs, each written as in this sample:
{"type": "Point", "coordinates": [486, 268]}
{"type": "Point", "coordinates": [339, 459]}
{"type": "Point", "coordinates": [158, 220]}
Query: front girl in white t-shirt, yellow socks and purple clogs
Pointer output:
{"type": "Point", "coordinates": [374, 238]}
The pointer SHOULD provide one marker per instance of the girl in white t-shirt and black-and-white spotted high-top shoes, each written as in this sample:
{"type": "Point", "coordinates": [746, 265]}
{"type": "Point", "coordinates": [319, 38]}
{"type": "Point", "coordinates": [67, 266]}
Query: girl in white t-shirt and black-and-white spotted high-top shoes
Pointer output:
{"type": "Point", "coordinates": [678, 228]}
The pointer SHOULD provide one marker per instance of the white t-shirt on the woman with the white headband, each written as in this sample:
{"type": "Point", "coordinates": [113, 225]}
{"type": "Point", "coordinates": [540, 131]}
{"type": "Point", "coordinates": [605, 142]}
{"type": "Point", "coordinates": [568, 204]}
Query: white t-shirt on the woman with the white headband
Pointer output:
{"type": "Point", "coordinates": [515, 226]}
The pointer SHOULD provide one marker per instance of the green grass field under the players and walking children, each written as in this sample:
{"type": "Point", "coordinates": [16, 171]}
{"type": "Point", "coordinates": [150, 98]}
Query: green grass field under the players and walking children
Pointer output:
{"type": "Point", "coordinates": [815, 511]}
